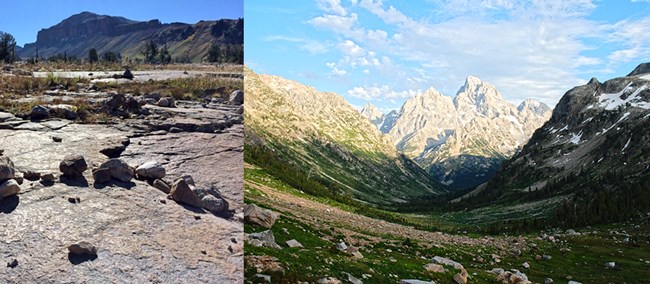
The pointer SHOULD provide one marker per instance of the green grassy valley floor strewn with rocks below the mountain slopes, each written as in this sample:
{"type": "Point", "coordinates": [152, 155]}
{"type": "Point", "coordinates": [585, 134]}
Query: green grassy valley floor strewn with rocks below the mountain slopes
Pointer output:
{"type": "Point", "coordinates": [392, 251]}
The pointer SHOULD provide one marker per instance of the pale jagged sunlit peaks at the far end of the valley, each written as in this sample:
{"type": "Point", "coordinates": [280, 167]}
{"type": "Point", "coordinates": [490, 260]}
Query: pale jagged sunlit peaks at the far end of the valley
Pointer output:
{"type": "Point", "coordinates": [463, 141]}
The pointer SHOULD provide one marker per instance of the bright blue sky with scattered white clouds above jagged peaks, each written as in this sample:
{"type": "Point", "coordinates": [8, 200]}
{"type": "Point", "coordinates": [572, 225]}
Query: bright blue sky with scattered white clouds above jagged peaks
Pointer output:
{"type": "Point", "coordinates": [385, 52]}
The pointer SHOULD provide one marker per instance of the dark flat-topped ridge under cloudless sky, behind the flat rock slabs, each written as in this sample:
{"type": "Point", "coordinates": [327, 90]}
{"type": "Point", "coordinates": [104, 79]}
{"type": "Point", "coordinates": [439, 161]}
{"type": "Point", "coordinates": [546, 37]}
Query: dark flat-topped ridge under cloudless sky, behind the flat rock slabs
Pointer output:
{"type": "Point", "coordinates": [77, 34]}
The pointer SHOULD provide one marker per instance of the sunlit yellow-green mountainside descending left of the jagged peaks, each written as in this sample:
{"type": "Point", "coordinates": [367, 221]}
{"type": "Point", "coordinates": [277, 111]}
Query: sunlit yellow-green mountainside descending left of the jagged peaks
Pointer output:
{"type": "Point", "coordinates": [328, 141]}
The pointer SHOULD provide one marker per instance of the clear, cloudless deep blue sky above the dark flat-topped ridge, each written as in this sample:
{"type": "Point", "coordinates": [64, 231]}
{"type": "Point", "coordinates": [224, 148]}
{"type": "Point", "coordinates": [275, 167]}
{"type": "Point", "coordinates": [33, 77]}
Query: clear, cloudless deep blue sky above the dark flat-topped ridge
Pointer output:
{"type": "Point", "coordinates": [24, 18]}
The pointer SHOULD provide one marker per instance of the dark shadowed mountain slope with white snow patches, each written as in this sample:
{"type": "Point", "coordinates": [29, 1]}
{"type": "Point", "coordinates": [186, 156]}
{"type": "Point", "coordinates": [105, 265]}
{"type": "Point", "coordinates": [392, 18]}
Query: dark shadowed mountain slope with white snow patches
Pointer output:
{"type": "Point", "coordinates": [595, 151]}
